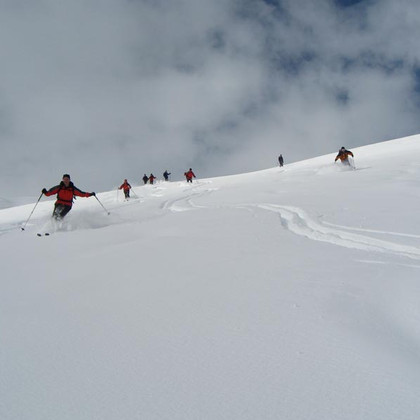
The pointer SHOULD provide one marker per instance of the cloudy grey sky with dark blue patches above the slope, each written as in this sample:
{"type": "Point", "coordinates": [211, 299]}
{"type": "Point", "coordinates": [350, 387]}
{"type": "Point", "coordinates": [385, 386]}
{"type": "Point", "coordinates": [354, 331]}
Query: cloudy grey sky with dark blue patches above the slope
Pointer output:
{"type": "Point", "coordinates": [113, 89]}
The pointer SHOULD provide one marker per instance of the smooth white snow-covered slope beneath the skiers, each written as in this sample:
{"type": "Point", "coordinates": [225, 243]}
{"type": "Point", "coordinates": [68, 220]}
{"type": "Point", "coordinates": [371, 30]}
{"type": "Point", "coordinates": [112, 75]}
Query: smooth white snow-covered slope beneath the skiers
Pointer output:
{"type": "Point", "coordinates": [290, 293]}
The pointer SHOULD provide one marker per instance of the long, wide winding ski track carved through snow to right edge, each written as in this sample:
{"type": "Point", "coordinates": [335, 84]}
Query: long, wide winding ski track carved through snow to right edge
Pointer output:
{"type": "Point", "coordinates": [297, 221]}
